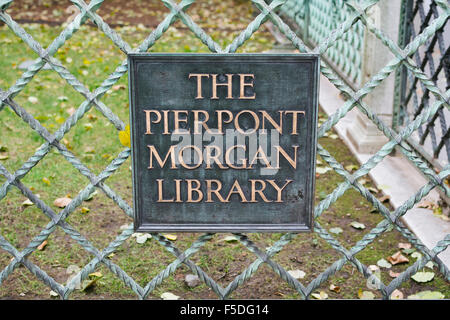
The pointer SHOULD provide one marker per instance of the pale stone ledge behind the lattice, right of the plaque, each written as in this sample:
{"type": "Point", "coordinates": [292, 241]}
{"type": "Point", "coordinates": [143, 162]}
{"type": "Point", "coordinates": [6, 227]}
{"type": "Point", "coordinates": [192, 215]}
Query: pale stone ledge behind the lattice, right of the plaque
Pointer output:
{"type": "Point", "coordinates": [397, 172]}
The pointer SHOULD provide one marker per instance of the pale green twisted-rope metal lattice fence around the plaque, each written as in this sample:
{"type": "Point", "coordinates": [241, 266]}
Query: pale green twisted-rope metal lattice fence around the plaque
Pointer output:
{"type": "Point", "coordinates": [355, 14]}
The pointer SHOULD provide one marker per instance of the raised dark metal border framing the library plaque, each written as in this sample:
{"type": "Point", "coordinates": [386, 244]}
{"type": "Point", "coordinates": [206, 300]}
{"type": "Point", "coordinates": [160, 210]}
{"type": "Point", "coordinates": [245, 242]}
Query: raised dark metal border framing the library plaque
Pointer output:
{"type": "Point", "coordinates": [139, 226]}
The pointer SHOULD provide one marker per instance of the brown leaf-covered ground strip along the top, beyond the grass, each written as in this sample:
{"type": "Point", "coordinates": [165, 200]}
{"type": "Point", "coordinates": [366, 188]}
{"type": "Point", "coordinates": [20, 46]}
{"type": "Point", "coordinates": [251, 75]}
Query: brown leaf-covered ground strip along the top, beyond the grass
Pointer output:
{"type": "Point", "coordinates": [119, 13]}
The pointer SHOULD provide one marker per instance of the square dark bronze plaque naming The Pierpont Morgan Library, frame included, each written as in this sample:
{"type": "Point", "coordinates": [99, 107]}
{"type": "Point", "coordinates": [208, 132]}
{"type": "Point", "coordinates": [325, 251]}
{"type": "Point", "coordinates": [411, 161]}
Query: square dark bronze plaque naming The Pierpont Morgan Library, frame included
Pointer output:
{"type": "Point", "coordinates": [223, 142]}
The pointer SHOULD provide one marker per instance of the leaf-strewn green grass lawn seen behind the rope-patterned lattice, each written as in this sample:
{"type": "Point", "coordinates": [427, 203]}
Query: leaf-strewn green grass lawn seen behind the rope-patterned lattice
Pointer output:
{"type": "Point", "coordinates": [91, 57]}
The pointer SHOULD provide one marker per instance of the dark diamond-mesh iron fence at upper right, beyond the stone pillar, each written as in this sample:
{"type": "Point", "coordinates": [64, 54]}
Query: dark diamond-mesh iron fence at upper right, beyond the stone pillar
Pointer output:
{"type": "Point", "coordinates": [432, 138]}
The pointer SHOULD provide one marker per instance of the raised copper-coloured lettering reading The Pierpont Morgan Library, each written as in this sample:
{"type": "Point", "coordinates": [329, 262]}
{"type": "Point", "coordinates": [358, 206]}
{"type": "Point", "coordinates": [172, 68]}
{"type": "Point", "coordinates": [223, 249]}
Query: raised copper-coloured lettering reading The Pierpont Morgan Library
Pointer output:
{"type": "Point", "coordinates": [212, 157]}
